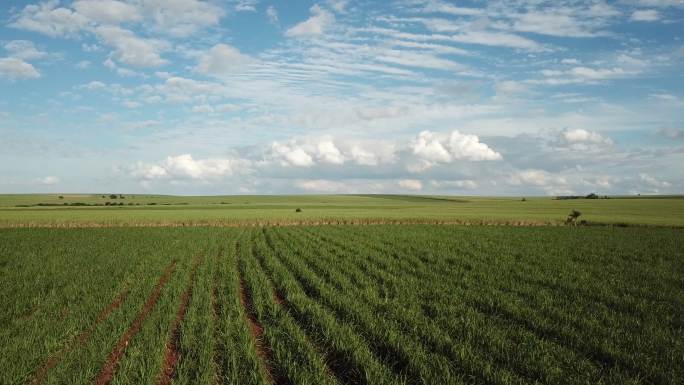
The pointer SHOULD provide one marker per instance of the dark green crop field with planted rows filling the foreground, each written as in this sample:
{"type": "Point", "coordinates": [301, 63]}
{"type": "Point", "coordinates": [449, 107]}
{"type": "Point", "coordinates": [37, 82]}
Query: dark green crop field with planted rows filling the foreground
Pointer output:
{"type": "Point", "coordinates": [342, 305]}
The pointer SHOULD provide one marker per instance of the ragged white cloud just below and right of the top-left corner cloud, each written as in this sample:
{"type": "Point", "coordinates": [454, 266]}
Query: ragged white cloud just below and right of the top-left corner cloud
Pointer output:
{"type": "Point", "coordinates": [133, 50]}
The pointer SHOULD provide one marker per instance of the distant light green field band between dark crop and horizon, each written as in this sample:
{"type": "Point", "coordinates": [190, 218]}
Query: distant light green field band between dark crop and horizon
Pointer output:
{"type": "Point", "coordinates": [140, 210]}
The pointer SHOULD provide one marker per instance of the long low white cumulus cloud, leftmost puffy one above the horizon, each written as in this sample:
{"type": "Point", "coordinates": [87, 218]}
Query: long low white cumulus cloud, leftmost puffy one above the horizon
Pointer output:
{"type": "Point", "coordinates": [186, 167]}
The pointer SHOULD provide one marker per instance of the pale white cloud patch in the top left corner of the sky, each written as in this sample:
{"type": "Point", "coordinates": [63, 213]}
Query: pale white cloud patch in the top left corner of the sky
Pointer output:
{"type": "Point", "coordinates": [50, 19]}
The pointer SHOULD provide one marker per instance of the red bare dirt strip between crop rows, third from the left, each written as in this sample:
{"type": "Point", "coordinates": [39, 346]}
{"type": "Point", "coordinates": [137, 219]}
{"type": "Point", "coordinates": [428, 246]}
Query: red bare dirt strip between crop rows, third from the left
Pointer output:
{"type": "Point", "coordinates": [172, 351]}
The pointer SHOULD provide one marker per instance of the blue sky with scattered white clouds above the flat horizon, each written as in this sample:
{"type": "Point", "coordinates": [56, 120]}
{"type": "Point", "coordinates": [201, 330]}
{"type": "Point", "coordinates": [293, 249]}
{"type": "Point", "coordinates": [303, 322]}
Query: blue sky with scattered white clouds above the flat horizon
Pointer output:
{"type": "Point", "coordinates": [409, 96]}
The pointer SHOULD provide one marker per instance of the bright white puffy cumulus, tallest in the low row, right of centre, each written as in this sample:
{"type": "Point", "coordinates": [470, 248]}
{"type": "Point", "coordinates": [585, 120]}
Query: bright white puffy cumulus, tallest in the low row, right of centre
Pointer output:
{"type": "Point", "coordinates": [432, 148]}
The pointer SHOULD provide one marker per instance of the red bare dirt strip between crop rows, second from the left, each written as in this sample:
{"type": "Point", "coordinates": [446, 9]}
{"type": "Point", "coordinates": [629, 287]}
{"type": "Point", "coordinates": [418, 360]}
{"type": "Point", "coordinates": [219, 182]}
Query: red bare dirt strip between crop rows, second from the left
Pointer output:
{"type": "Point", "coordinates": [109, 367]}
